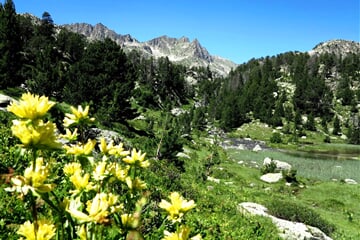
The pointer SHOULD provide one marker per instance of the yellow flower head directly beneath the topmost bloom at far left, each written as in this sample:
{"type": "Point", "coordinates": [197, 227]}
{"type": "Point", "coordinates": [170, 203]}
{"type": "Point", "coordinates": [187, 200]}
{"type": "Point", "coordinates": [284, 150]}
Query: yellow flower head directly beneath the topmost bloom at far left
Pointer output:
{"type": "Point", "coordinates": [35, 134]}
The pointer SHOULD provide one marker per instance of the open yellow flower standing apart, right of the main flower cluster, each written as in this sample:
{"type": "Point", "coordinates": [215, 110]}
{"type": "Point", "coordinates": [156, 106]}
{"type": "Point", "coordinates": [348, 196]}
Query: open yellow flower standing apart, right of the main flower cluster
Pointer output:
{"type": "Point", "coordinates": [177, 206]}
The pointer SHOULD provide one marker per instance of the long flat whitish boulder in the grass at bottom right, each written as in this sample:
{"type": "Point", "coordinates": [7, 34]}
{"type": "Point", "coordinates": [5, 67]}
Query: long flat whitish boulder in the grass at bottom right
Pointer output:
{"type": "Point", "coordinates": [288, 230]}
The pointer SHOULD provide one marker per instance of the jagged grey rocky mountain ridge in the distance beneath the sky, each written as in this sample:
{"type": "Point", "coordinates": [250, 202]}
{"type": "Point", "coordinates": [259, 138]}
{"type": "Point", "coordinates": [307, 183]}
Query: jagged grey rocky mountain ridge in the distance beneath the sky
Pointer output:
{"type": "Point", "coordinates": [179, 50]}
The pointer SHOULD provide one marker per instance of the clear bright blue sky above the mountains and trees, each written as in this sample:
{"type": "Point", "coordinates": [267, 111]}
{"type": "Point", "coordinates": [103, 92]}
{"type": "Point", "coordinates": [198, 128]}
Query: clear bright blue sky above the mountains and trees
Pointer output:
{"type": "Point", "coordinates": [235, 29]}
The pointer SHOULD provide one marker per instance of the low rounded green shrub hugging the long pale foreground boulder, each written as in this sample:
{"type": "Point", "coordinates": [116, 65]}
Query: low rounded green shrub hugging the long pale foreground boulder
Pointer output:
{"type": "Point", "coordinates": [298, 213]}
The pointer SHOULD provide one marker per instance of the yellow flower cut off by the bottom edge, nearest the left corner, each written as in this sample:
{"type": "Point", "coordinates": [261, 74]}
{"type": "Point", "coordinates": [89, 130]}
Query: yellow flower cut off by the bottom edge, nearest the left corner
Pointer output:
{"type": "Point", "coordinates": [45, 230]}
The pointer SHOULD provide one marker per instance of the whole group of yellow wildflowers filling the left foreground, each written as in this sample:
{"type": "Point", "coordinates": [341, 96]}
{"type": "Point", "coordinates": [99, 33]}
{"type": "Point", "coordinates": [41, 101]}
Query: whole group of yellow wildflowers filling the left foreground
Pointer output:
{"type": "Point", "coordinates": [90, 202]}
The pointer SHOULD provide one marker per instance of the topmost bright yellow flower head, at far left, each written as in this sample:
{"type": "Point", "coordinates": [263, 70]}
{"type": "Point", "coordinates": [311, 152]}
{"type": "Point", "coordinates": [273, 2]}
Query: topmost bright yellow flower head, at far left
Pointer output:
{"type": "Point", "coordinates": [31, 106]}
